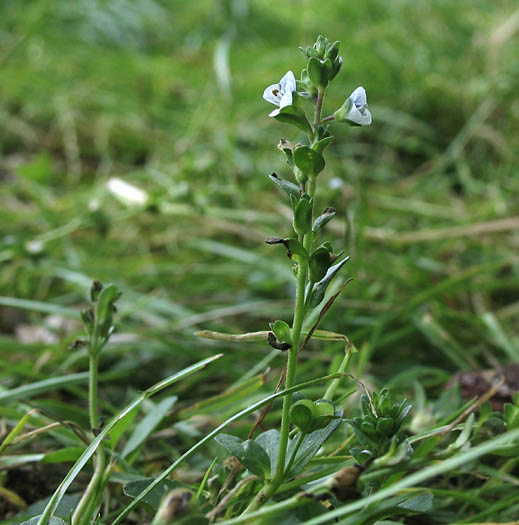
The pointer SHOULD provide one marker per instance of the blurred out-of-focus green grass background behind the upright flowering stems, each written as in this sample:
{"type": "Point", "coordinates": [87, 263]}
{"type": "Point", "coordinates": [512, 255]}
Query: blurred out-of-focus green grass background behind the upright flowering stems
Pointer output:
{"type": "Point", "coordinates": [166, 96]}
